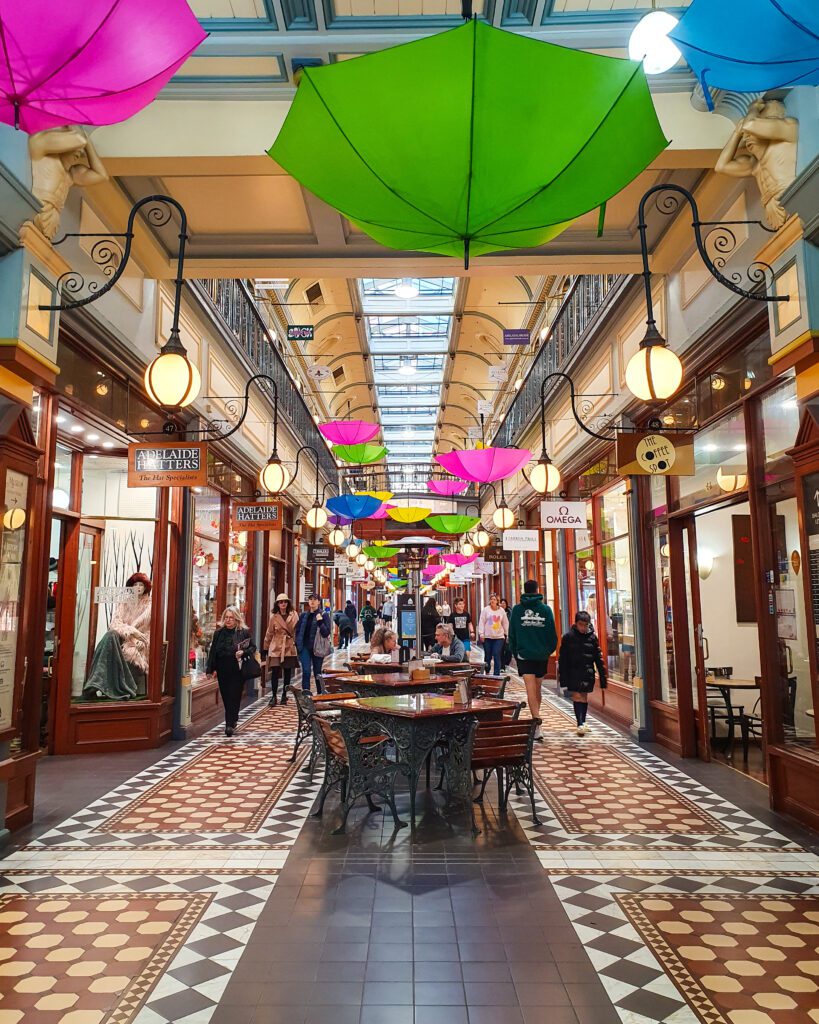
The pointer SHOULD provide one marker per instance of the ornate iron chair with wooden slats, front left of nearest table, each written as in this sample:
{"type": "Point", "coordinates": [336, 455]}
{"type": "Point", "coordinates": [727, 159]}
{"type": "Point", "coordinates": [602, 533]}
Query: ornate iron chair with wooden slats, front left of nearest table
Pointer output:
{"type": "Point", "coordinates": [356, 761]}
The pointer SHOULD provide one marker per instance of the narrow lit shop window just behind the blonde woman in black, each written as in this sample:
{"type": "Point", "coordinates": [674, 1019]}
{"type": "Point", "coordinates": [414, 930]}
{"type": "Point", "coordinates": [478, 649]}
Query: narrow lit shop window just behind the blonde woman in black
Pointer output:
{"type": "Point", "coordinates": [204, 594]}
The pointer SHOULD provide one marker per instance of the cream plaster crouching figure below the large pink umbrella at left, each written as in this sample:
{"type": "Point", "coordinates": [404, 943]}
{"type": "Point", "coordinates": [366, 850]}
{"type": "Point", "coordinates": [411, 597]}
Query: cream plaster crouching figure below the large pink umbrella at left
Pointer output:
{"type": "Point", "coordinates": [61, 158]}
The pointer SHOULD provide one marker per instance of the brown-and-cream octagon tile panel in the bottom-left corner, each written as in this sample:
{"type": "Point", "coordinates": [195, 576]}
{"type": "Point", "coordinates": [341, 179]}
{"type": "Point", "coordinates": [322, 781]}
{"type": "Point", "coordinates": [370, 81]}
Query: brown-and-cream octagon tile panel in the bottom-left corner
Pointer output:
{"type": "Point", "coordinates": [102, 955]}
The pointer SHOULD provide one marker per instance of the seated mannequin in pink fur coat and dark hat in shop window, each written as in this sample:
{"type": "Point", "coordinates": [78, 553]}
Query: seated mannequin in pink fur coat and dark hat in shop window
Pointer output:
{"type": "Point", "coordinates": [119, 669]}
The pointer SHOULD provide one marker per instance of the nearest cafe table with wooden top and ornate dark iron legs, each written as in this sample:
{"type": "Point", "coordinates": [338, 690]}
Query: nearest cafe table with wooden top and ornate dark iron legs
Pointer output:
{"type": "Point", "coordinates": [417, 722]}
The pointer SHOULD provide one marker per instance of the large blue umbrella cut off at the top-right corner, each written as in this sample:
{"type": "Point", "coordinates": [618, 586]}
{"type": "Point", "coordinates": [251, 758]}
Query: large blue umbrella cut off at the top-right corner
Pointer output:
{"type": "Point", "coordinates": [751, 46]}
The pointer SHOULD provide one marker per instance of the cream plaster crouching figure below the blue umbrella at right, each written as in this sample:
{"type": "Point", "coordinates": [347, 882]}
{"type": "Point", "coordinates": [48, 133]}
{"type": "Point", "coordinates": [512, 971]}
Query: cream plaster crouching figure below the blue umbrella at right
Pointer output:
{"type": "Point", "coordinates": [764, 147]}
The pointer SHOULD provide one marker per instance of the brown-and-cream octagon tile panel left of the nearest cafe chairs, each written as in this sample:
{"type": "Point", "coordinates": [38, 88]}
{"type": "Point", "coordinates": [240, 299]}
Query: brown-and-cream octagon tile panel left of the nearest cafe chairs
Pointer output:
{"type": "Point", "coordinates": [225, 789]}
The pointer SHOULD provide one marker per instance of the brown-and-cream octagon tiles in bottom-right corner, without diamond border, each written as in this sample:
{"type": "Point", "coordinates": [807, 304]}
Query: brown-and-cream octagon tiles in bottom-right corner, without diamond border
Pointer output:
{"type": "Point", "coordinates": [736, 957]}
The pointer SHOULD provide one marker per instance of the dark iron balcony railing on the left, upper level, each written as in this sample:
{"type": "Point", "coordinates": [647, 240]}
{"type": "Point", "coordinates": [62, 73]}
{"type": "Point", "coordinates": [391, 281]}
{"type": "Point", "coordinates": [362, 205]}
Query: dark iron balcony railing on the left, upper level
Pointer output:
{"type": "Point", "coordinates": [235, 305]}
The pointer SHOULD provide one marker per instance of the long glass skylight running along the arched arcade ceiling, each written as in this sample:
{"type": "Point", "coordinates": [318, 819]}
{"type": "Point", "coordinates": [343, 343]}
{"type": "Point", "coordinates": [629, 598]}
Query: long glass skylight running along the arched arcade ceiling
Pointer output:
{"type": "Point", "coordinates": [409, 323]}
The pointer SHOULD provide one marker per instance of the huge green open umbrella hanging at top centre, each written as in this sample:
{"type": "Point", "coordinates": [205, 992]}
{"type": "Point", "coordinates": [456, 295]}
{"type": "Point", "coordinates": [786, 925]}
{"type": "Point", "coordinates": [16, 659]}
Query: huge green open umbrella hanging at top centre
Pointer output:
{"type": "Point", "coordinates": [471, 141]}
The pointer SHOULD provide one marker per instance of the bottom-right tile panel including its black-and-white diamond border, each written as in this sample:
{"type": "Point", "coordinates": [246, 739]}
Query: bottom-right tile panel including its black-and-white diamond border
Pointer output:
{"type": "Point", "coordinates": [635, 930]}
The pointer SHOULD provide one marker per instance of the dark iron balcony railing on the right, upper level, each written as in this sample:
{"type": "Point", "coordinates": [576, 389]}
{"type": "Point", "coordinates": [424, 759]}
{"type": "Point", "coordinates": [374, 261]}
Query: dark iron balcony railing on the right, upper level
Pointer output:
{"type": "Point", "coordinates": [580, 309]}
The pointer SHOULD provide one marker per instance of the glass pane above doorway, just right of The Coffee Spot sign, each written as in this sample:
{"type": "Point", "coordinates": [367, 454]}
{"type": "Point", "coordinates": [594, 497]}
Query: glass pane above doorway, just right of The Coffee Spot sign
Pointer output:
{"type": "Point", "coordinates": [721, 460]}
